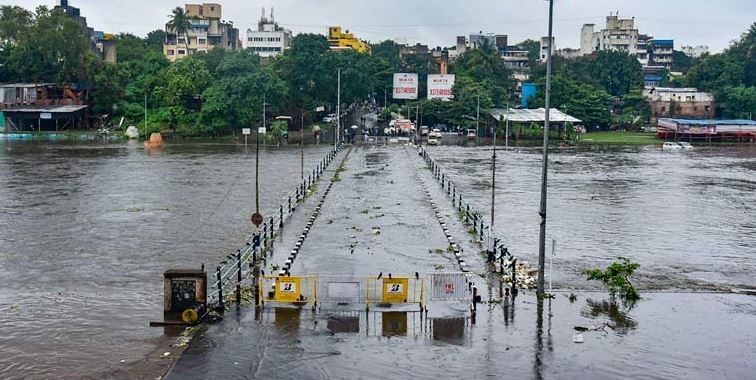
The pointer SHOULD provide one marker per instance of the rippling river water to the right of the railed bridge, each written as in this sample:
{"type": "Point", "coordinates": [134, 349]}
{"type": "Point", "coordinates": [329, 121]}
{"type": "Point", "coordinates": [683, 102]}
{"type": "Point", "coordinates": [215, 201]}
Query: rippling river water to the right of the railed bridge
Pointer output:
{"type": "Point", "coordinates": [689, 218]}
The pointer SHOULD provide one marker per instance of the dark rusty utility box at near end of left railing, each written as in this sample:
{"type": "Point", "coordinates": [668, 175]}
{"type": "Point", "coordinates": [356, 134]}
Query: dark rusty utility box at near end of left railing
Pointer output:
{"type": "Point", "coordinates": [185, 294]}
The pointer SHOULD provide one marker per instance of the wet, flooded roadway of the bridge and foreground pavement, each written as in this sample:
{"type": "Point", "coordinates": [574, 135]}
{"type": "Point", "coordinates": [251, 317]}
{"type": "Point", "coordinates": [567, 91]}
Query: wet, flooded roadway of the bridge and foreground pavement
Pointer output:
{"type": "Point", "coordinates": [678, 335]}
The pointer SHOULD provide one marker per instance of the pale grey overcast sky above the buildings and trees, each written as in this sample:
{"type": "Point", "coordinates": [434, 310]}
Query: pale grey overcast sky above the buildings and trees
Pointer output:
{"type": "Point", "coordinates": [689, 22]}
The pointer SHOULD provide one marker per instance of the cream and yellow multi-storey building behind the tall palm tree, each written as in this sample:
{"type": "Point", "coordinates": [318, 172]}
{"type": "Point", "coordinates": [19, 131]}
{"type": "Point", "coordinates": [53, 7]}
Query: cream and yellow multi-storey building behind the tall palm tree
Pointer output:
{"type": "Point", "coordinates": [208, 32]}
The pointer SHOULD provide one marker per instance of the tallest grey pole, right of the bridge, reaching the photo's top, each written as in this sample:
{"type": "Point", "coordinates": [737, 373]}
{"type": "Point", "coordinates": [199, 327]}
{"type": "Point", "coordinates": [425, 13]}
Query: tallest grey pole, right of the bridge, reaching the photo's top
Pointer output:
{"type": "Point", "coordinates": [544, 170]}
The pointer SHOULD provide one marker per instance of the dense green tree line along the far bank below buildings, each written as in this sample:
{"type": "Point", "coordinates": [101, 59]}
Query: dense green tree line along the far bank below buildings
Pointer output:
{"type": "Point", "coordinates": [212, 93]}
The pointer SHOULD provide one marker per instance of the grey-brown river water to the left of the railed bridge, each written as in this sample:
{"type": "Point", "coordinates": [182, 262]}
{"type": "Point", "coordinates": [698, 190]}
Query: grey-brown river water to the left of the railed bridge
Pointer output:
{"type": "Point", "coordinates": [88, 229]}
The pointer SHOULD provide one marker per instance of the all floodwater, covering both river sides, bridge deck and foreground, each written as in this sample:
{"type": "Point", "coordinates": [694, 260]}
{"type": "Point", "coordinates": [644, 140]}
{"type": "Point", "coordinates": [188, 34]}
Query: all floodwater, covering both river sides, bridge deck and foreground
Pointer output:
{"type": "Point", "coordinates": [88, 229]}
